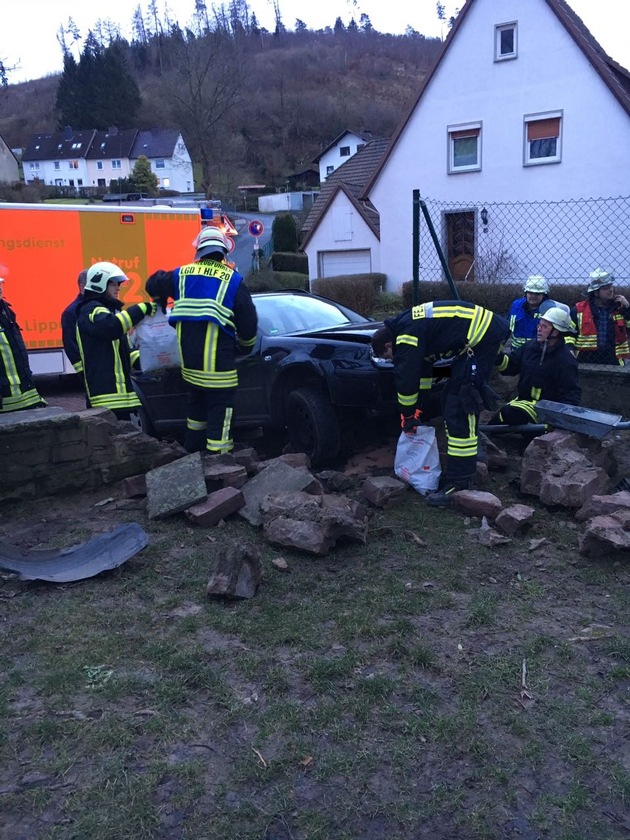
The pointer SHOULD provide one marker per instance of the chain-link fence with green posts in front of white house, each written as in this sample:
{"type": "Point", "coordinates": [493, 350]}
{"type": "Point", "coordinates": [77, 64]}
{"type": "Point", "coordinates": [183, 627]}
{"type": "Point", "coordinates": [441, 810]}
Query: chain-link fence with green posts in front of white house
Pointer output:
{"type": "Point", "coordinates": [503, 242]}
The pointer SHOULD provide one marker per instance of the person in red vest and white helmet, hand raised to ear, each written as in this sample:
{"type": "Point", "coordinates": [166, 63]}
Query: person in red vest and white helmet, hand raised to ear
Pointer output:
{"type": "Point", "coordinates": [602, 322]}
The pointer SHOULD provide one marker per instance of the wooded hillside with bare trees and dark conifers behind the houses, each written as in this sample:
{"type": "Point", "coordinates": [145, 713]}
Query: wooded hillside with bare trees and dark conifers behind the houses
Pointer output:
{"type": "Point", "coordinates": [253, 106]}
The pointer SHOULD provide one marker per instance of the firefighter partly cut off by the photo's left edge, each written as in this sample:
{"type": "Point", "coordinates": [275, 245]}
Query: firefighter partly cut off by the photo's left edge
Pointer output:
{"type": "Point", "coordinates": [17, 390]}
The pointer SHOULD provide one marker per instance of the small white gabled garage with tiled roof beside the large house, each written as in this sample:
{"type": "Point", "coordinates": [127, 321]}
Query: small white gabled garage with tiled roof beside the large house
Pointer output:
{"type": "Point", "coordinates": [341, 233]}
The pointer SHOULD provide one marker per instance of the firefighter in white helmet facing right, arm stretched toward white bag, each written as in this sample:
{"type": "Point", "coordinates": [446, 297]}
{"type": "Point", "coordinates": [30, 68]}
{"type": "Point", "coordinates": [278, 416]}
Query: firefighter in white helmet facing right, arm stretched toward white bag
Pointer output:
{"type": "Point", "coordinates": [102, 328]}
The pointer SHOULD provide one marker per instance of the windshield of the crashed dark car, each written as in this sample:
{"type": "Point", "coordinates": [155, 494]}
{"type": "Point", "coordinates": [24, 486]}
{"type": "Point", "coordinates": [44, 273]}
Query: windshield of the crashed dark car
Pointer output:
{"type": "Point", "coordinates": [285, 314]}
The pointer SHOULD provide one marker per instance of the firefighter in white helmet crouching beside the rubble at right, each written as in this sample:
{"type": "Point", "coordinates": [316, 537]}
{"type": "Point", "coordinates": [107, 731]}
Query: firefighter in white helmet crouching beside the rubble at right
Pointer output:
{"type": "Point", "coordinates": [548, 370]}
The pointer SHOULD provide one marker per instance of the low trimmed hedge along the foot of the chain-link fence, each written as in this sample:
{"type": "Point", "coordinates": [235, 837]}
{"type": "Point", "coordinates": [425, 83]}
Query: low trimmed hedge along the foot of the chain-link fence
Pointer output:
{"type": "Point", "coordinates": [497, 297]}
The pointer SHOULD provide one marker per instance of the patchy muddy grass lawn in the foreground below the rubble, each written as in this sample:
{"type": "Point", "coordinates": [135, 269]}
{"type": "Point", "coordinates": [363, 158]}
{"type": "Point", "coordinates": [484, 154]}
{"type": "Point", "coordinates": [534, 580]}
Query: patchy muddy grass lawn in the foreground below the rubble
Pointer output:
{"type": "Point", "coordinates": [420, 686]}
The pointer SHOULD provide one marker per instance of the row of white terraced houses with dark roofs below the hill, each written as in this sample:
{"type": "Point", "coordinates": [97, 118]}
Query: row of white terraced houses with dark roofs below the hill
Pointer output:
{"type": "Point", "coordinates": [93, 158]}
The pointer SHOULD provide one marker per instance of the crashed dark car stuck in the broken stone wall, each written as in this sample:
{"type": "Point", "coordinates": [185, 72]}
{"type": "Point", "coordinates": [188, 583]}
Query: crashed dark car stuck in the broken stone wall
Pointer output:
{"type": "Point", "coordinates": [310, 372]}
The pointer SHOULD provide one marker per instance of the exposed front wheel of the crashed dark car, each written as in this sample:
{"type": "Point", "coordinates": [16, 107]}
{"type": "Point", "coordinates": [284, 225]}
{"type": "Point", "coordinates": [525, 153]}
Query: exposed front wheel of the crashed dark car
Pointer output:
{"type": "Point", "coordinates": [313, 425]}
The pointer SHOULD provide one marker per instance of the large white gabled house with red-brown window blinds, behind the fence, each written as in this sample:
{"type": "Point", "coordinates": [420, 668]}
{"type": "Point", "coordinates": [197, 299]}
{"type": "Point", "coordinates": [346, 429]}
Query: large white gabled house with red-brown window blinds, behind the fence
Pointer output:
{"type": "Point", "coordinates": [522, 106]}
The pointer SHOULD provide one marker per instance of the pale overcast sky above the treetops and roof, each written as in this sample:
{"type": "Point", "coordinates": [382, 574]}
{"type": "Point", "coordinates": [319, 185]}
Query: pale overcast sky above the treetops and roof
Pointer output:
{"type": "Point", "coordinates": [28, 28]}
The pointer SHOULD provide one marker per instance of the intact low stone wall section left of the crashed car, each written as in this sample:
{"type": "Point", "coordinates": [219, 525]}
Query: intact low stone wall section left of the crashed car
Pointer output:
{"type": "Point", "coordinates": [46, 451]}
